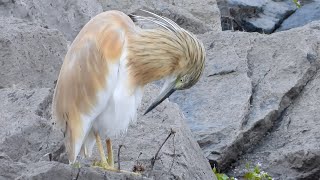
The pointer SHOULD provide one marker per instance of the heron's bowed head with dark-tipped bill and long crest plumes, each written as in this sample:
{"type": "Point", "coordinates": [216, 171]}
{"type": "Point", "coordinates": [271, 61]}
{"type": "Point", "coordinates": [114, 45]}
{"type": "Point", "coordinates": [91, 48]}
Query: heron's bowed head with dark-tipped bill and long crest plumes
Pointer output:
{"type": "Point", "coordinates": [181, 56]}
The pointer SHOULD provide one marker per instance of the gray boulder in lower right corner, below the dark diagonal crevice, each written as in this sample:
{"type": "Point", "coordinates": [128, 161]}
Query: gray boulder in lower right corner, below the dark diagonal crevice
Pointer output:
{"type": "Point", "coordinates": [292, 149]}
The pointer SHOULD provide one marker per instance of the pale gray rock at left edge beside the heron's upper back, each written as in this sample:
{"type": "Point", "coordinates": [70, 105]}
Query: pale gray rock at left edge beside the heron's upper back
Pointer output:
{"type": "Point", "coordinates": [30, 56]}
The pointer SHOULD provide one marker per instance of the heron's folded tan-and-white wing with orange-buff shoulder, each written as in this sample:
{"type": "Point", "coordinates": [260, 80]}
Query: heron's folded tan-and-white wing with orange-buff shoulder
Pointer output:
{"type": "Point", "coordinates": [83, 87]}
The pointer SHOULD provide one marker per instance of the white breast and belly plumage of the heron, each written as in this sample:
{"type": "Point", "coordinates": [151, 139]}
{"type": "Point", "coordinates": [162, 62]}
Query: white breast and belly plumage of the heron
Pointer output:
{"type": "Point", "coordinates": [116, 108]}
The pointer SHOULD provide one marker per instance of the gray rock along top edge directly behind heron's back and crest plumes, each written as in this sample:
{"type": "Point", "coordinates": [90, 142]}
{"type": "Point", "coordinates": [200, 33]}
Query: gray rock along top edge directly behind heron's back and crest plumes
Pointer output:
{"type": "Point", "coordinates": [188, 14]}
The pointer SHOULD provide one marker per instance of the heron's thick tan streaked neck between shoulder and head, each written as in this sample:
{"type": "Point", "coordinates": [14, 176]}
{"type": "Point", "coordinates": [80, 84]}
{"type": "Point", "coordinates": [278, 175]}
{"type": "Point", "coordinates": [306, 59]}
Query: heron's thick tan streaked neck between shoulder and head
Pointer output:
{"type": "Point", "coordinates": [153, 55]}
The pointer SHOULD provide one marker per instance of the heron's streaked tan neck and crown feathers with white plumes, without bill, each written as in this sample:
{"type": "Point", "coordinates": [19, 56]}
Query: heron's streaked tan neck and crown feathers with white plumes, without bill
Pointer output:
{"type": "Point", "coordinates": [157, 53]}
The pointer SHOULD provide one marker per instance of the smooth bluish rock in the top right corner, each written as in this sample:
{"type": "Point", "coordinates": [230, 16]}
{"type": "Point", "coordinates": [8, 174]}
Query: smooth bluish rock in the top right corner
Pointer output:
{"type": "Point", "coordinates": [304, 15]}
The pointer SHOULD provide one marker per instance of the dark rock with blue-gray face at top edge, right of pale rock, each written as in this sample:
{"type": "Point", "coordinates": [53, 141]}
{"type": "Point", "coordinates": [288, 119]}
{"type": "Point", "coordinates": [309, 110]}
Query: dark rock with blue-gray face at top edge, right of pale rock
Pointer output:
{"type": "Point", "coordinates": [262, 16]}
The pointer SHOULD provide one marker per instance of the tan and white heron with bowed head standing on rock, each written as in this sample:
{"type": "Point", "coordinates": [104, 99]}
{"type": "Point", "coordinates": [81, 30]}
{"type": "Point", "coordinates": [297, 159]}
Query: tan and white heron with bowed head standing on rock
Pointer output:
{"type": "Point", "coordinates": [102, 78]}
